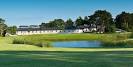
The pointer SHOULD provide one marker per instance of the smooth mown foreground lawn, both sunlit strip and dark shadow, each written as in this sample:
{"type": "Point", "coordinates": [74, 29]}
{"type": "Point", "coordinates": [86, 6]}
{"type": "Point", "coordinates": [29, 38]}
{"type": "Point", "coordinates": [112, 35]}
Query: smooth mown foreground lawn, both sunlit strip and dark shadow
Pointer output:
{"type": "Point", "coordinates": [18, 55]}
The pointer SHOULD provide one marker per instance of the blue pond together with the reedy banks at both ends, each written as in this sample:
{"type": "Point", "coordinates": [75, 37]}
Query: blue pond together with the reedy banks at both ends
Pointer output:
{"type": "Point", "coordinates": [82, 44]}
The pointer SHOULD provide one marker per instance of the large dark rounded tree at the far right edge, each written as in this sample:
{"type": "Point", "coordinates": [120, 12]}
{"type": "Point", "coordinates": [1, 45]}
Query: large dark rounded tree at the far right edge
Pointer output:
{"type": "Point", "coordinates": [123, 21]}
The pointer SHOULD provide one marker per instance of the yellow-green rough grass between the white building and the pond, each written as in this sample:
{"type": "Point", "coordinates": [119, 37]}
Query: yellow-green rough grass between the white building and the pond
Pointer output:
{"type": "Point", "coordinates": [45, 40]}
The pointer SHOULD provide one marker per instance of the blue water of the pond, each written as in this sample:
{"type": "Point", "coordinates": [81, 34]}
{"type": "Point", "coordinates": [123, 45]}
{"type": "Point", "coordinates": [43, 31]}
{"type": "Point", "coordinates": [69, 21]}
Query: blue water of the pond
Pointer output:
{"type": "Point", "coordinates": [77, 44]}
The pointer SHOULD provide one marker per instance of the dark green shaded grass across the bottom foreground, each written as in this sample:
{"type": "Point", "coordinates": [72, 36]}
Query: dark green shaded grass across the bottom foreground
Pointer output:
{"type": "Point", "coordinates": [66, 59]}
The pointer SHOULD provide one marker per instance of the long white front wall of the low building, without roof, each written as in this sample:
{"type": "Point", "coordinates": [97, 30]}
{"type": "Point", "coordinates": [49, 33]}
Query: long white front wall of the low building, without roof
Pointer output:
{"type": "Point", "coordinates": [49, 32]}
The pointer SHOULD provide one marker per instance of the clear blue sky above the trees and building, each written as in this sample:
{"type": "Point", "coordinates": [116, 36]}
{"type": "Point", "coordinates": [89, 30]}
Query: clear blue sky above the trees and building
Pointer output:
{"type": "Point", "coordinates": [34, 12]}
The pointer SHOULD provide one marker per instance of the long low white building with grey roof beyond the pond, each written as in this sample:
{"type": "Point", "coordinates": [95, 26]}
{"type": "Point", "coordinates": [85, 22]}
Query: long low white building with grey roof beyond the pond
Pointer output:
{"type": "Point", "coordinates": [34, 29]}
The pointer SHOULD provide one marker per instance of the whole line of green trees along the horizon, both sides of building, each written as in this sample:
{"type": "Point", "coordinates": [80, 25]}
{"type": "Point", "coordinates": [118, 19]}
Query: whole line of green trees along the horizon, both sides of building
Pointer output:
{"type": "Point", "coordinates": [102, 19]}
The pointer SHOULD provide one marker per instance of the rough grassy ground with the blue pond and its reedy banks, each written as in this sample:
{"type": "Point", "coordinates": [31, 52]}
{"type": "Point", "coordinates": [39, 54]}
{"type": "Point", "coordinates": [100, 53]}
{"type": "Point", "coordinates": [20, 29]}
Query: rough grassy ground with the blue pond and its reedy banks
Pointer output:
{"type": "Point", "coordinates": [76, 40]}
